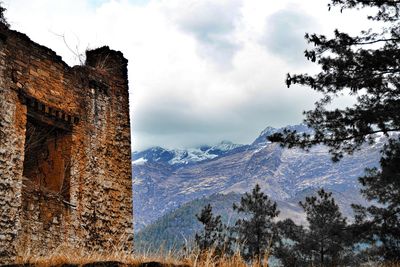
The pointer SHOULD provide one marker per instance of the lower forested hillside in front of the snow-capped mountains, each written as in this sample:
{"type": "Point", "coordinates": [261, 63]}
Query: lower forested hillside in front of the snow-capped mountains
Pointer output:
{"type": "Point", "coordinates": [178, 227]}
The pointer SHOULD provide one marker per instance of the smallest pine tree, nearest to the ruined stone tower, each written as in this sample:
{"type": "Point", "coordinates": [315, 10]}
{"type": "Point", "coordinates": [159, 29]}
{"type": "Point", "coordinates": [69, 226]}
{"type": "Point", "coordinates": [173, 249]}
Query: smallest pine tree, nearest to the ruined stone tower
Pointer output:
{"type": "Point", "coordinates": [212, 238]}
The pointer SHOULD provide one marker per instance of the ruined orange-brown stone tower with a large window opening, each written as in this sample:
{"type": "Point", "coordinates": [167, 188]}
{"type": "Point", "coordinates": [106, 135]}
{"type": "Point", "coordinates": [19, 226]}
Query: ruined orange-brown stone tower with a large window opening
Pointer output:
{"type": "Point", "coordinates": [65, 160]}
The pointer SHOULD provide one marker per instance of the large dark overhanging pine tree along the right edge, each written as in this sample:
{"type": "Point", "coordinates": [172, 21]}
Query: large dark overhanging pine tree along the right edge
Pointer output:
{"type": "Point", "coordinates": [367, 66]}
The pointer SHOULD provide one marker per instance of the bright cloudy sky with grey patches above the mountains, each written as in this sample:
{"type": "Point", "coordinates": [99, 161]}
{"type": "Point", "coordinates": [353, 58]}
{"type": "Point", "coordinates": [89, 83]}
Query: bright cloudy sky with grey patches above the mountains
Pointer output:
{"type": "Point", "coordinates": [200, 71]}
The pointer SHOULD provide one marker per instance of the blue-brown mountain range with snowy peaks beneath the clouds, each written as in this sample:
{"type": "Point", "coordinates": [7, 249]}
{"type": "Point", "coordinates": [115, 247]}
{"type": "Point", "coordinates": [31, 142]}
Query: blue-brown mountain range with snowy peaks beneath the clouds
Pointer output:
{"type": "Point", "coordinates": [166, 179]}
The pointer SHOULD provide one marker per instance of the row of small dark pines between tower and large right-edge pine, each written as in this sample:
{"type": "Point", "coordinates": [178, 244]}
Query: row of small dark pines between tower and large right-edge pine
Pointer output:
{"type": "Point", "coordinates": [326, 241]}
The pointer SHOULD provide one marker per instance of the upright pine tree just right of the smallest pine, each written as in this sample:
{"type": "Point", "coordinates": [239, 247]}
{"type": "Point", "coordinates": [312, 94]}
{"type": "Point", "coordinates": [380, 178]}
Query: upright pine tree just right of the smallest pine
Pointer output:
{"type": "Point", "coordinates": [256, 230]}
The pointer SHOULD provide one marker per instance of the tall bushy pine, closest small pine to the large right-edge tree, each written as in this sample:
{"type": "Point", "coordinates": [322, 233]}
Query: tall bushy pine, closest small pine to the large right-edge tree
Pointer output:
{"type": "Point", "coordinates": [327, 239]}
